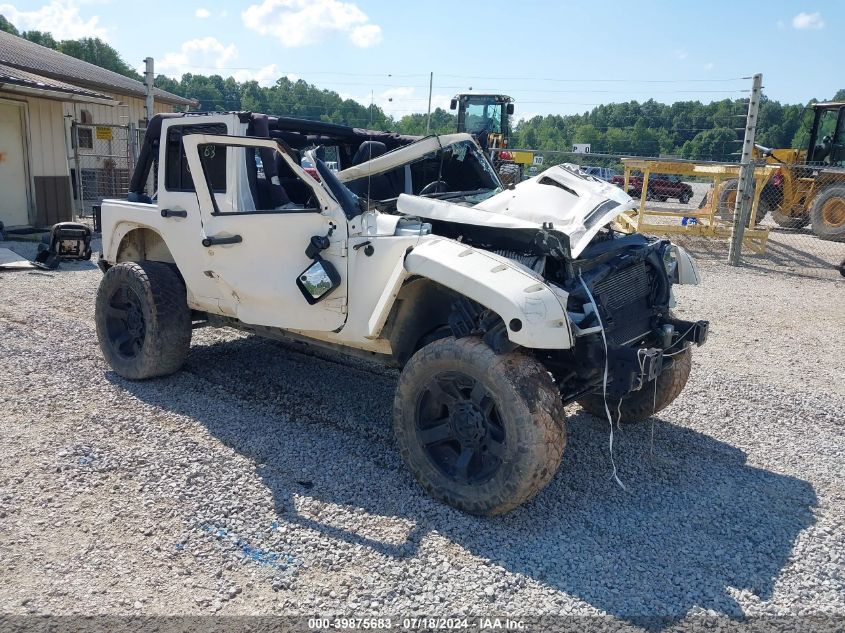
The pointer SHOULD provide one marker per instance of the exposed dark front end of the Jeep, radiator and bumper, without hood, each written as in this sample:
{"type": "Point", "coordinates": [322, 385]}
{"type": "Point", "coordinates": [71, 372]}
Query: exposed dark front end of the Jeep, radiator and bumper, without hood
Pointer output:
{"type": "Point", "coordinates": [619, 306]}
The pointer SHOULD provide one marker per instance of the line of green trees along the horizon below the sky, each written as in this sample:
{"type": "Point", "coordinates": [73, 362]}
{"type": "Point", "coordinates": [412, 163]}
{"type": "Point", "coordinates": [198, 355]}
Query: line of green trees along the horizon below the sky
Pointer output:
{"type": "Point", "coordinates": [688, 129]}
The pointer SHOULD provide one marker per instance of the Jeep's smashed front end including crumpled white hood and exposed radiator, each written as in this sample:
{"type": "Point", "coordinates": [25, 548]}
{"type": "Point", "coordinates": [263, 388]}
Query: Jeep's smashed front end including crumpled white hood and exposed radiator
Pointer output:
{"type": "Point", "coordinates": [617, 287]}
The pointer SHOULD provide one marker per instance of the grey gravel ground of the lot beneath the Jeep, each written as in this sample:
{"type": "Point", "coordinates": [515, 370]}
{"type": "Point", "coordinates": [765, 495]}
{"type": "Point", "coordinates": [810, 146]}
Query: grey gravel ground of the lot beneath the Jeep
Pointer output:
{"type": "Point", "coordinates": [263, 481]}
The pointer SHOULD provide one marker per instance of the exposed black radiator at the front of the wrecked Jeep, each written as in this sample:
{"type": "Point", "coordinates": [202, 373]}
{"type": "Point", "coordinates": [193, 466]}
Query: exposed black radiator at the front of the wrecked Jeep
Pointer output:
{"type": "Point", "coordinates": [625, 300]}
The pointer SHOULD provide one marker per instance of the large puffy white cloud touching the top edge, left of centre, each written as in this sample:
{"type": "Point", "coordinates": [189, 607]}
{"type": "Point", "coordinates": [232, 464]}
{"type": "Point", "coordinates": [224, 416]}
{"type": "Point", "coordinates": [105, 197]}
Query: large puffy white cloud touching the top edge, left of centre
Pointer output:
{"type": "Point", "coordinates": [303, 22]}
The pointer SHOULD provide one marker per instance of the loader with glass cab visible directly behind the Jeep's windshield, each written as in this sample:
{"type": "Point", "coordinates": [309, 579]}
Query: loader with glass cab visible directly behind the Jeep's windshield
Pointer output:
{"type": "Point", "coordinates": [487, 118]}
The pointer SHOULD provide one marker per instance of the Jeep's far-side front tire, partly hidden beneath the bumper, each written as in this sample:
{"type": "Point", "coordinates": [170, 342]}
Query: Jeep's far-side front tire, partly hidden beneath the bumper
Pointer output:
{"type": "Point", "coordinates": [640, 405]}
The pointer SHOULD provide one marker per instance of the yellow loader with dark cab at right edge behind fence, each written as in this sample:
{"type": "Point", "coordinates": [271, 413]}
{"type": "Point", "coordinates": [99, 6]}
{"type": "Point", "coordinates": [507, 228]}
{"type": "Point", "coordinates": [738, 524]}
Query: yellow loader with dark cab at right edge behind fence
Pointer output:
{"type": "Point", "coordinates": [809, 185]}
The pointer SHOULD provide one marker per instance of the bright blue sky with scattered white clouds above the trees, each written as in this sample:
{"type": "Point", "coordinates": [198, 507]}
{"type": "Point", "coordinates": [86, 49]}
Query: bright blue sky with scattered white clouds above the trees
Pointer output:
{"type": "Point", "coordinates": [552, 57]}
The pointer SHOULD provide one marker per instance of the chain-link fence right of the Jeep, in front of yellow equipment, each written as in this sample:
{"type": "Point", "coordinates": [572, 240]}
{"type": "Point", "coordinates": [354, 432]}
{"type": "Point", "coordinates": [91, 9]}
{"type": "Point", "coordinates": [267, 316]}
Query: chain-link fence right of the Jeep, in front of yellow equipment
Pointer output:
{"type": "Point", "coordinates": [797, 218]}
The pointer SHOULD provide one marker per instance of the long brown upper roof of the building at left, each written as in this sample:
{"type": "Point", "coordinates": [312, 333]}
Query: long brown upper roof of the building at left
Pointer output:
{"type": "Point", "coordinates": [23, 55]}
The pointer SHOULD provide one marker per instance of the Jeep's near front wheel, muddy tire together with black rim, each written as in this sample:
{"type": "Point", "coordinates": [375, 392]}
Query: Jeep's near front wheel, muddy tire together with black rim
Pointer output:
{"type": "Point", "coordinates": [481, 431]}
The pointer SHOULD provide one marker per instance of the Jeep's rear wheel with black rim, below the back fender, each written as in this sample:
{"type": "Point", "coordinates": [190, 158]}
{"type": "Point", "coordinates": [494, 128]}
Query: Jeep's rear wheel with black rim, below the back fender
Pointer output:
{"type": "Point", "coordinates": [153, 293]}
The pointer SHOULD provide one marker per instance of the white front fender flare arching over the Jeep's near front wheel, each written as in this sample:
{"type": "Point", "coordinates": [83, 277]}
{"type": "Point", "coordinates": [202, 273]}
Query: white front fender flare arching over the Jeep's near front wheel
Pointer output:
{"type": "Point", "coordinates": [533, 312]}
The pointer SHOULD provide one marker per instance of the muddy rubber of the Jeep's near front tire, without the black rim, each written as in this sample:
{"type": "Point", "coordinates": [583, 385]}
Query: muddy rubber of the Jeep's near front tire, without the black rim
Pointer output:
{"type": "Point", "coordinates": [528, 407]}
